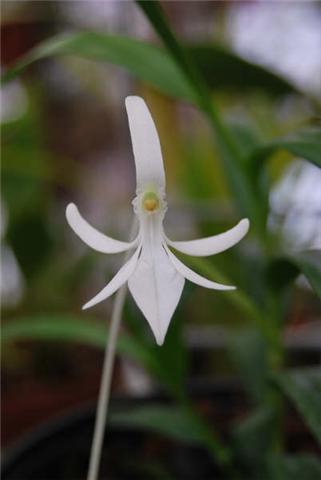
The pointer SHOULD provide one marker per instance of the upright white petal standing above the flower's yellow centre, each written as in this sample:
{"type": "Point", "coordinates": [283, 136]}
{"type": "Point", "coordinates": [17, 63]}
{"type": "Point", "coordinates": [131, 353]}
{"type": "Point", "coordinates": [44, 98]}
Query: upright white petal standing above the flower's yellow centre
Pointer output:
{"type": "Point", "coordinates": [146, 146]}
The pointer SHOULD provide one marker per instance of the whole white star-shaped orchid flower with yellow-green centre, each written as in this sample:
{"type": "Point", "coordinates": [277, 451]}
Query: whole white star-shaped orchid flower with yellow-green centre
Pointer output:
{"type": "Point", "coordinates": [154, 274]}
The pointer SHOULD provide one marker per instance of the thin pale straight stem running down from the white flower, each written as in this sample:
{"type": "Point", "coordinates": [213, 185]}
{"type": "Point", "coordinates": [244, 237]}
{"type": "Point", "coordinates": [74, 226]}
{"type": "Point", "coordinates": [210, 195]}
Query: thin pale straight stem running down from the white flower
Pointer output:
{"type": "Point", "coordinates": [106, 378]}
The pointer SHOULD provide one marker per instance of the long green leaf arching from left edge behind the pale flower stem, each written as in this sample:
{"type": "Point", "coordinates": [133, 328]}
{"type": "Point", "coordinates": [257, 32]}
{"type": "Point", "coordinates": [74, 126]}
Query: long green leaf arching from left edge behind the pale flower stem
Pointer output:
{"type": "Point", "coordinates": [70, 328]}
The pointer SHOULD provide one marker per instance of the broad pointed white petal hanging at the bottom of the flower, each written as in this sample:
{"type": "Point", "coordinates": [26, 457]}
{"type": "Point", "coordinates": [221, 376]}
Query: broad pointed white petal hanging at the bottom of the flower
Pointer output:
{"type": "Point", "coordinates": [156, 287]}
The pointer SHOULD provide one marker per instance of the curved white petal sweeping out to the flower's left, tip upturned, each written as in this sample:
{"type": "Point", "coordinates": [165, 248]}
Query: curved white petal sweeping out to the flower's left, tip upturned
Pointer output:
{"type": "Point", "coordinates": [92, 237]}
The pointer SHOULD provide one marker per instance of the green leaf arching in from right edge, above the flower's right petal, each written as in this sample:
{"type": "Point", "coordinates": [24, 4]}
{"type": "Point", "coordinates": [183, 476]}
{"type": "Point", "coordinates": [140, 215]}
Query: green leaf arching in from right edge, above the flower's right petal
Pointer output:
{"type": "Point", "coordinates": [306, 145]}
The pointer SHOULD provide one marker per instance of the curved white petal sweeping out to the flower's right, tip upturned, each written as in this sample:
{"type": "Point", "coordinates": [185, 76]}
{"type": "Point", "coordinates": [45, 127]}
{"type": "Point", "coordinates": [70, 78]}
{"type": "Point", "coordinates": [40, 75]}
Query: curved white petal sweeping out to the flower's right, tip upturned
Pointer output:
{"type": "Point", "coordinates": [215, 244]}
